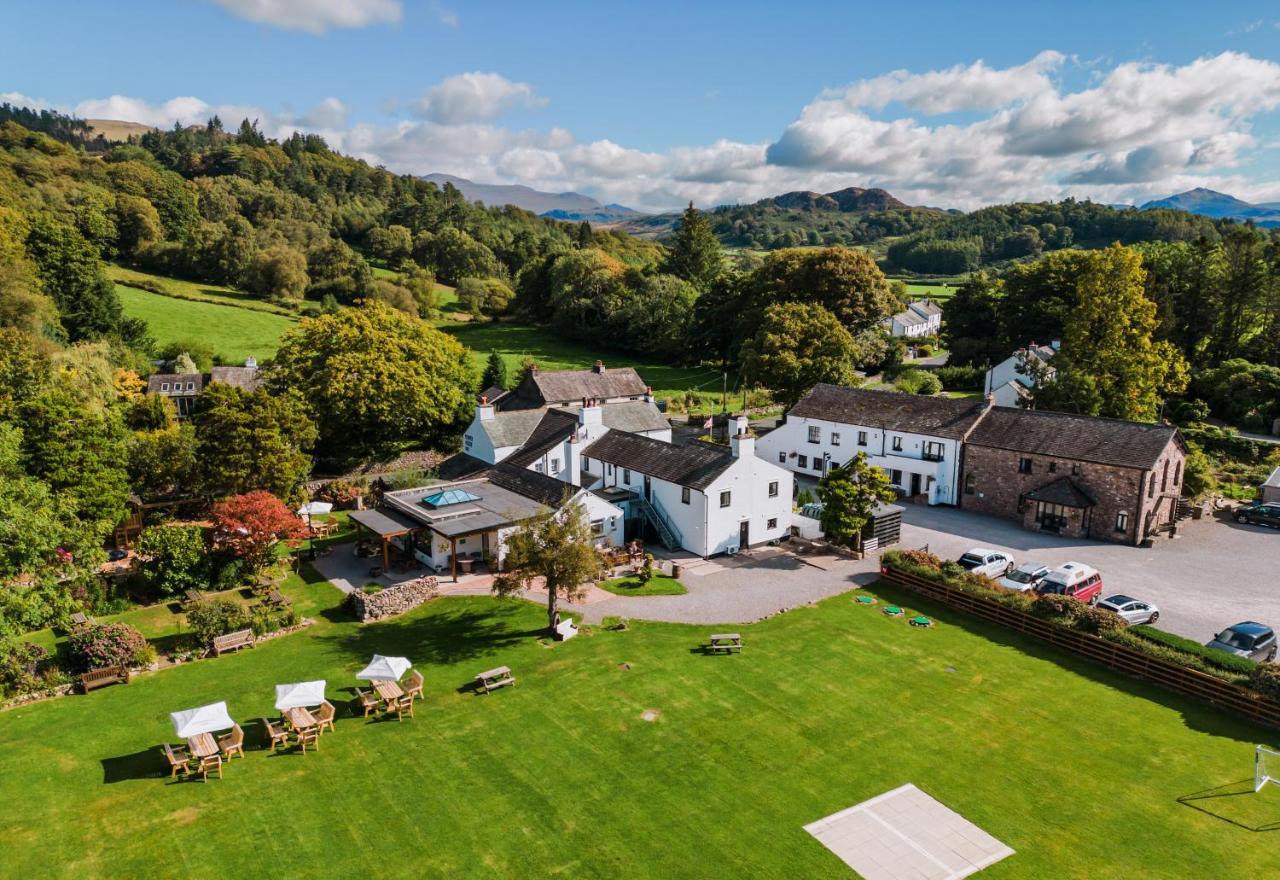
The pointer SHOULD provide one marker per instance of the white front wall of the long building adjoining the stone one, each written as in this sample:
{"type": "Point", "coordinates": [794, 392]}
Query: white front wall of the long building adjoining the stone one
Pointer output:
{"type": "Point", "coordinates": [784, 447]}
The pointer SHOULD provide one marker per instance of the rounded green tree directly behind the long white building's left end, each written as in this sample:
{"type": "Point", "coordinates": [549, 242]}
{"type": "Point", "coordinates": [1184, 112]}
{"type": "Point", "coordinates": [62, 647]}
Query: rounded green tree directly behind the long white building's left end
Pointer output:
{"type": "Point", "coordinates": [797, 347]}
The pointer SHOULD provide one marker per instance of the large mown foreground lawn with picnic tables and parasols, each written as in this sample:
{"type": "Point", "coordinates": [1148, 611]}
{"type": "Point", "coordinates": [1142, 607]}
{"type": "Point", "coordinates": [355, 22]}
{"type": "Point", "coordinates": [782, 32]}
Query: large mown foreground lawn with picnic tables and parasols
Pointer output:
{"type": "Point", "coordinates": [1078, 771]}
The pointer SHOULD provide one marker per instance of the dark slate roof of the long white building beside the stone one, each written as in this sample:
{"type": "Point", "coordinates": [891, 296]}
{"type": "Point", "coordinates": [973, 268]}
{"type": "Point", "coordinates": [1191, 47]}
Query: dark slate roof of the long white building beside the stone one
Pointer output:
{"type": "Point", "coordinates": [939, 418]}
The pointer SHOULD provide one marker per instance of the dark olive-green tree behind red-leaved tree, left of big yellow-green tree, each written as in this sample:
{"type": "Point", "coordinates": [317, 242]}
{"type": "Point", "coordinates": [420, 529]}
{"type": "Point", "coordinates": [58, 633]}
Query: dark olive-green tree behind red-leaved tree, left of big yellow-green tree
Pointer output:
{"type": "Point", "coordinates": [248, 441]}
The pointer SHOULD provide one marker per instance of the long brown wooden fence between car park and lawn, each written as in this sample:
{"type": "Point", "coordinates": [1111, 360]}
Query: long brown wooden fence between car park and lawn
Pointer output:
{"type": "Point", "coordinates": [1122, 658]}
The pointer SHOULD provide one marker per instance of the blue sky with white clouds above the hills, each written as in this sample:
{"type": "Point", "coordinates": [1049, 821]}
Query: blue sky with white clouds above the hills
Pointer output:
{"type": "Point", "coordinates": [657, 104]}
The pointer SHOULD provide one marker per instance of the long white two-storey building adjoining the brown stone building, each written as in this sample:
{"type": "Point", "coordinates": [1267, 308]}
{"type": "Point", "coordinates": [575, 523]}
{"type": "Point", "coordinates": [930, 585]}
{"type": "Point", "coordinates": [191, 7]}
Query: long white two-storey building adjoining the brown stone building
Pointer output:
{"type": "Point", "coordinates": [916, 439]}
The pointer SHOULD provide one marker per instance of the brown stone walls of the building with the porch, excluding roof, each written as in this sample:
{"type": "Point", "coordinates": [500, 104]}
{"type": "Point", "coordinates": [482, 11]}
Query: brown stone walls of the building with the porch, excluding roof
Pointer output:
{"type": "Point", "coordinates": [993, 484]}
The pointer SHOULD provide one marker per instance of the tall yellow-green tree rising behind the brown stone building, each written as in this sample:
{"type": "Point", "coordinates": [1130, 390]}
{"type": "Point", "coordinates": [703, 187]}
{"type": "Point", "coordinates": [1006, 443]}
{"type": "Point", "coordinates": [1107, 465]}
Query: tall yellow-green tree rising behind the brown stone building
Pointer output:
{"type": "Point", "coordinates": [1109, 364]}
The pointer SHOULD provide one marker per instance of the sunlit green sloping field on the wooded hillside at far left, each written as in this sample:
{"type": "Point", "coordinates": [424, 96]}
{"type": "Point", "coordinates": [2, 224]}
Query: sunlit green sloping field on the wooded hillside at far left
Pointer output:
{"type": "Point", "coordinates": [235, 333]}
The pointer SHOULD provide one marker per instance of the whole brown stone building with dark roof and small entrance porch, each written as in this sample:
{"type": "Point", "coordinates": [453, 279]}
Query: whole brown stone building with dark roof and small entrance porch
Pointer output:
{"type": "Point", "coordinates": [1076, 476]}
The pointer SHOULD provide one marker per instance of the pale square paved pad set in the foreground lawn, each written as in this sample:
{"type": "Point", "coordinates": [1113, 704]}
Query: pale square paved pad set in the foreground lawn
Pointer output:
{"type": "Point", "coordinates": [908, 836]}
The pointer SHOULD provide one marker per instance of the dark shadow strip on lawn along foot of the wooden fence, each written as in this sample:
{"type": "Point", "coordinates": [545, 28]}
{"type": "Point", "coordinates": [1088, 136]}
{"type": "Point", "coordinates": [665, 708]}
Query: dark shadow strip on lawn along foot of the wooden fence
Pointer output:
{"type": "Point", "coordinates": [1196, 716]}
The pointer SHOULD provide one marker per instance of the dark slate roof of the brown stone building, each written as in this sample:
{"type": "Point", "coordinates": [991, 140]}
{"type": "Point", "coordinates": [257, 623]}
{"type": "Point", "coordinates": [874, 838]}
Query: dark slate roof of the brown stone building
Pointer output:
{"type": "Point", "coordinates": [1077, 438]}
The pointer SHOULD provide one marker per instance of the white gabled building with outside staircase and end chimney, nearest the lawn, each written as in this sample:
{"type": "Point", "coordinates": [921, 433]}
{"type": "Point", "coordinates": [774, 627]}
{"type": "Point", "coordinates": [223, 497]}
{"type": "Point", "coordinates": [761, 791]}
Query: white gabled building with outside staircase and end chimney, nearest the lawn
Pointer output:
{"type": "Point", "coordinates": [701, 497]}
